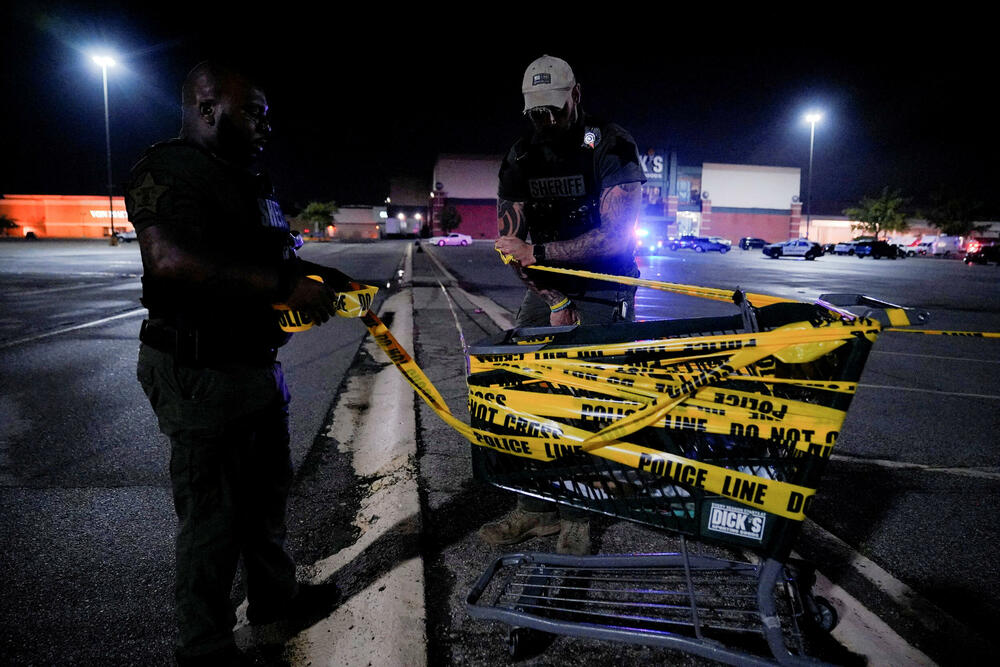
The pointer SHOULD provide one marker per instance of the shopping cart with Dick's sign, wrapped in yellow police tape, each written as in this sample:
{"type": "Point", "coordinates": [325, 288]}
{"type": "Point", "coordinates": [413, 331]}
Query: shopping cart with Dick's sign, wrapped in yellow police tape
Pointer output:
{"type": "Point", "coordinates": [763, 427]}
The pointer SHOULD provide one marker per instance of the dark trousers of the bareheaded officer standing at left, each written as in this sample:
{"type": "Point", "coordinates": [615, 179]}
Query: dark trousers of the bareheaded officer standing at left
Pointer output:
{"type": "Point", "coordinates": [231, 472]}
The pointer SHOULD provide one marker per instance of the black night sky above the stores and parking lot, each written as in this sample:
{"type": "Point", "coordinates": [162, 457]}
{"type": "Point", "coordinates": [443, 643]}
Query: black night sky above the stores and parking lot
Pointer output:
{"type": "Point", "coordinates": [357, 99]}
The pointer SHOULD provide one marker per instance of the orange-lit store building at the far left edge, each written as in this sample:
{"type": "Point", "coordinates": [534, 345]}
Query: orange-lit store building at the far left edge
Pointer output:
{"type": "Point", "coordinates": [64, 216]}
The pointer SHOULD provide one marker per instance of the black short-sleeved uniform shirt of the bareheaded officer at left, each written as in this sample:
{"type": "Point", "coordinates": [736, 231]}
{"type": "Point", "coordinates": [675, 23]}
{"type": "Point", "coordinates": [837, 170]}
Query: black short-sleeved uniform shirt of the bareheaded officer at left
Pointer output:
{"type": "Point", "coordinates": [231, 213]}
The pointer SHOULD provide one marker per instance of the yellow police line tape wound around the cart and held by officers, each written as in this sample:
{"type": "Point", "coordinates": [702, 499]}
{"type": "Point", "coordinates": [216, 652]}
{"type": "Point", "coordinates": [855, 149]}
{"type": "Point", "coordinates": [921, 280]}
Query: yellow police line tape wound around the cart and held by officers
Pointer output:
{"type": "Point", "coordinates": [671, 387]}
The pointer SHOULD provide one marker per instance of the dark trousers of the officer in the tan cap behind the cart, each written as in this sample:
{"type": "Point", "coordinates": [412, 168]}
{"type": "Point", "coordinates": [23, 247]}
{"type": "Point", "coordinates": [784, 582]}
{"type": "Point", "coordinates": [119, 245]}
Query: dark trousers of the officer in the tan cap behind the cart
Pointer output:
{"type": "Point", "coordinates": [615, 304]}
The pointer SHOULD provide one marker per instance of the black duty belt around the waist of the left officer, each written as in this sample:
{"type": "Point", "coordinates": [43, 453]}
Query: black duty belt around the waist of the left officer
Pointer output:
{"type": "Point", "coordinates": [200, 348]}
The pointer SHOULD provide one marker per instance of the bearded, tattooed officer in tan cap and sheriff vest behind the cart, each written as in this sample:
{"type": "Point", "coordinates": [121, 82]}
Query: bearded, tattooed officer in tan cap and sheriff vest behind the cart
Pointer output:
{"type": "Point", "coordinates": [573, 184]}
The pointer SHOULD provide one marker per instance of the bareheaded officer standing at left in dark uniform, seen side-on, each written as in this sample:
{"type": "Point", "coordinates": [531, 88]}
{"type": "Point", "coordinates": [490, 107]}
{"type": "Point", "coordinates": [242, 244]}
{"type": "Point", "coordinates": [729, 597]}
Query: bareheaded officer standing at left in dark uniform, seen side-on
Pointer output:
{"type": "Point", "coordinates": [216, 254]}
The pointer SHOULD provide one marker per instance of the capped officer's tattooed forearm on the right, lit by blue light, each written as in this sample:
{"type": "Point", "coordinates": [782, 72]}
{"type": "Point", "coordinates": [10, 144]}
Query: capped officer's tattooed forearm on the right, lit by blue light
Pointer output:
{"type": "Point", "coordinates": [620, 206]}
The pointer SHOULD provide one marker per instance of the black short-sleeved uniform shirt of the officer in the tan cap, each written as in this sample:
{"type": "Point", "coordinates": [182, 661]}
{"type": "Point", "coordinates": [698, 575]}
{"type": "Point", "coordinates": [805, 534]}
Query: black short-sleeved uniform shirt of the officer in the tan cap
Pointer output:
{"type": "Point", "coordinates": [561, 181]}
